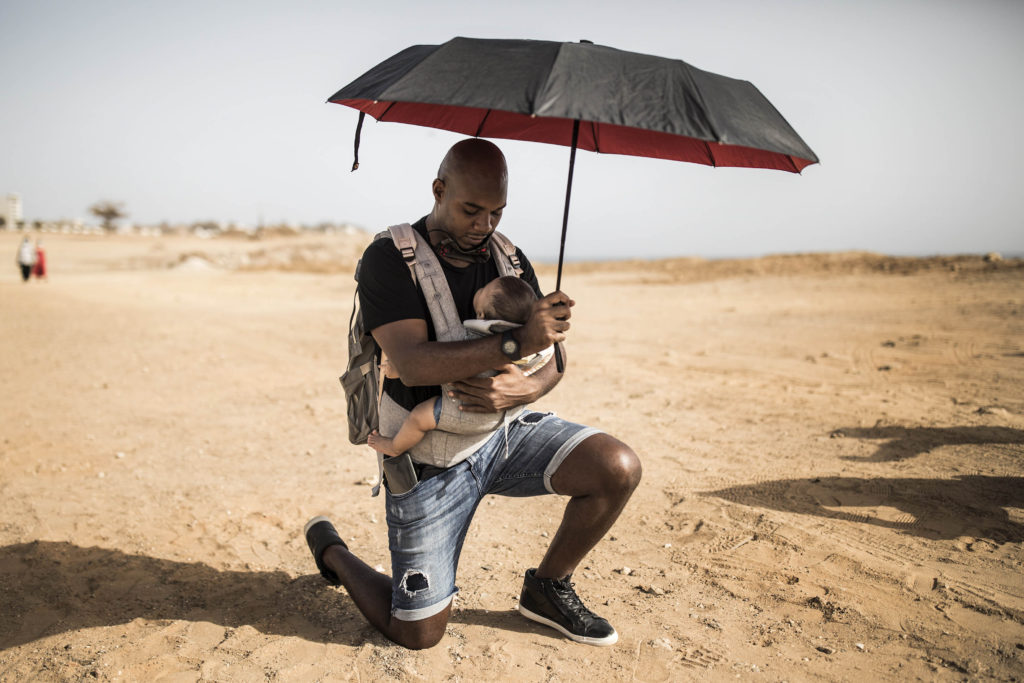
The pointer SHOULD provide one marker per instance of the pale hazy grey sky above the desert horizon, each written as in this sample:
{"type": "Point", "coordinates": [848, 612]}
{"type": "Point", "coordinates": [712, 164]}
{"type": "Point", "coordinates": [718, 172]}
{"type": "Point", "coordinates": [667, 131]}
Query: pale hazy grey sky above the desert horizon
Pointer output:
{"type": "Point", "coordinates": [217, 111]}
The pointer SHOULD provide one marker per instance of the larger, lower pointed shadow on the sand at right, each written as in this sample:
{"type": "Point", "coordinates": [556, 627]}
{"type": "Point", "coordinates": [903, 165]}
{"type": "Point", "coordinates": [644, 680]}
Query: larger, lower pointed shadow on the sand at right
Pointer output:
{"type": "Point", "coordinates": [966, 506]}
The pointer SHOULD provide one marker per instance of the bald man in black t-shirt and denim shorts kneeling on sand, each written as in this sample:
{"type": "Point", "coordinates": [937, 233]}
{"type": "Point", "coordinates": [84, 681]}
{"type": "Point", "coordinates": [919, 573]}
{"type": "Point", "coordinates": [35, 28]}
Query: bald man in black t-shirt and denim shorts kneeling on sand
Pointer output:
{"type": "Point", "coordinates": [535, 454]}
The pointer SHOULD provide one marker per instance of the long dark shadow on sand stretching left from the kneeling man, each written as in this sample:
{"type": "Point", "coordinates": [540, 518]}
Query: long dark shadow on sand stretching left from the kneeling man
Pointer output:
{"type": "Point", "coordinates": [49, 588]}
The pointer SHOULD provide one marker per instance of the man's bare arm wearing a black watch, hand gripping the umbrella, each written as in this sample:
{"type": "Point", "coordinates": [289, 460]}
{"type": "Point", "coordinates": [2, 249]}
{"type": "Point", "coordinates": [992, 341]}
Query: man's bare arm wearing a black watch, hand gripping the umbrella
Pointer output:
{"type": "Point", "coordinates": [422, 363]}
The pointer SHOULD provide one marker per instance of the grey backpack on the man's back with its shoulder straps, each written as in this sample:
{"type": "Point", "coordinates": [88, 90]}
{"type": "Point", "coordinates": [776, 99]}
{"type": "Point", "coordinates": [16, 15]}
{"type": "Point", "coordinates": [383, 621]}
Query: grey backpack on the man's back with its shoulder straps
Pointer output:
{"type": "Point", "coordinates": [363, 380]}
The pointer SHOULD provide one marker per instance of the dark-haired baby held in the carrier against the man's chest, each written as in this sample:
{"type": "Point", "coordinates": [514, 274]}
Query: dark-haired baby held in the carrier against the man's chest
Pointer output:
{"type": "Point", "coordinates": [502, 305]}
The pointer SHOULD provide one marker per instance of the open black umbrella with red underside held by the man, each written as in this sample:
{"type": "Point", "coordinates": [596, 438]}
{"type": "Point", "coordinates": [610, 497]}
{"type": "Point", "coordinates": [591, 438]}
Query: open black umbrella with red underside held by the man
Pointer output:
{"type": "Point", "coordinates": [581, 96]}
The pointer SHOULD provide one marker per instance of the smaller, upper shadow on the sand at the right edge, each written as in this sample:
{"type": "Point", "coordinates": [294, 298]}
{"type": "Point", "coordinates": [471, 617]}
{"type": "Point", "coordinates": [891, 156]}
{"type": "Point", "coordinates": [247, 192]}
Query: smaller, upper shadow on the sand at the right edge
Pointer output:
{"type": "Point", "coordinates": [904, 443]}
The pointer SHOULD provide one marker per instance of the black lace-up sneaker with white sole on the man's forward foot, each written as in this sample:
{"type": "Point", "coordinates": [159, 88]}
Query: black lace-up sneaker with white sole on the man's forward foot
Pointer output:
{"type": "Point", "coordinates": [554, 603]}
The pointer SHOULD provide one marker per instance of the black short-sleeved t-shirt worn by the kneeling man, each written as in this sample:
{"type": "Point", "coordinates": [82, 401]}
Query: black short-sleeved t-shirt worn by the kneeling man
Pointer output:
{"type": "Point", "coordinates": [388, 294]}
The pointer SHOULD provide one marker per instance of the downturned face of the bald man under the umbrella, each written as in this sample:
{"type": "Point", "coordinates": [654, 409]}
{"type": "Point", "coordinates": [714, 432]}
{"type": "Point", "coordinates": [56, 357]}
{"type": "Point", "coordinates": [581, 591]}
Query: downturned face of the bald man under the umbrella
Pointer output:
{"type": "Point", "coordinates": [471, 206]}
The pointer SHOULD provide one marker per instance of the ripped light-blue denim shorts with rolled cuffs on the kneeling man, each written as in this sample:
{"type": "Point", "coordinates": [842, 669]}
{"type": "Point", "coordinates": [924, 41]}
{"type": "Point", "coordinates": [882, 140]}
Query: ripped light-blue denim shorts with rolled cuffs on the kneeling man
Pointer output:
{"type": "Point", "coordinates": [428, 525]}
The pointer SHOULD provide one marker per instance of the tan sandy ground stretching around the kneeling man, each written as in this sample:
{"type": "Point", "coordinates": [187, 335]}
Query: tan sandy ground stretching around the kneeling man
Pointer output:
{"type": "Point", "coordinates": [834, 487]}
